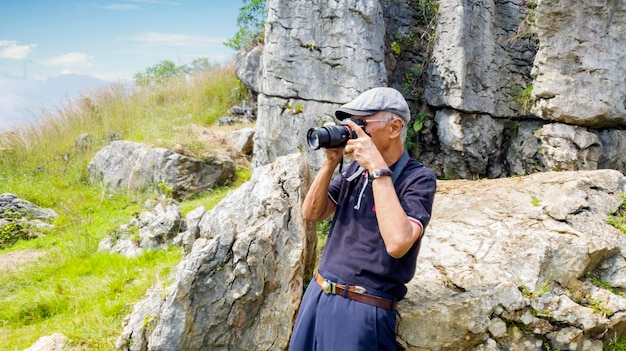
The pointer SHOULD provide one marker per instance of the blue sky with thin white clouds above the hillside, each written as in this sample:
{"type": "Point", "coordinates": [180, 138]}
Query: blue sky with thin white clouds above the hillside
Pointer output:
{"type": "Point", "coordinates": [111, 40]}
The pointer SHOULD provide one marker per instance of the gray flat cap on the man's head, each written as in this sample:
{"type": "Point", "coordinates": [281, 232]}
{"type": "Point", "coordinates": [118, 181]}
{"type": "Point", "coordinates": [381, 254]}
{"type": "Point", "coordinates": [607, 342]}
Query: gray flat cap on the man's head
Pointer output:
{"type": "Point", "coordinates": [375, 100]}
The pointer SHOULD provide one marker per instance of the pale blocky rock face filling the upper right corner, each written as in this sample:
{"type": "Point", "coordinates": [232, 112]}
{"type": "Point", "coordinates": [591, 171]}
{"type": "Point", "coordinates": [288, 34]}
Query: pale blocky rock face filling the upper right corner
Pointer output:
{"type": "Point", "coordinates": [580, 68]}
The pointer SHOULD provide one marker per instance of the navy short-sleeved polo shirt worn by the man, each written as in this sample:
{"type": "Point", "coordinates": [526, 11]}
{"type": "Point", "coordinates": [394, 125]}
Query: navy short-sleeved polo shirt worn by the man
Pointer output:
{"type": "Point", "coordinates": [355, 251]}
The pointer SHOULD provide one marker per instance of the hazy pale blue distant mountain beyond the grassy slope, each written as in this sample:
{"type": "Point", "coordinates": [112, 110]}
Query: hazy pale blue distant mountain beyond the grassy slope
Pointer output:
{"type": "Point", "coordinates": [22, 101]}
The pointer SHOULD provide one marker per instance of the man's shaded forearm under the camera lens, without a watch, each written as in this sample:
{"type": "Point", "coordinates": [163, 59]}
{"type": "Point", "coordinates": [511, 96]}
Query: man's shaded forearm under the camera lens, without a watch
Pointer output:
{"type": "Point", "coordinates": [317, 206]}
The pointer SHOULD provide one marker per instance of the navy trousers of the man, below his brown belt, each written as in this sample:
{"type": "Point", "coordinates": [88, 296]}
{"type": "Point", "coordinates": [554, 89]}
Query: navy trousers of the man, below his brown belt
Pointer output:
{"type": "Point", "coordinates": [332, 322]}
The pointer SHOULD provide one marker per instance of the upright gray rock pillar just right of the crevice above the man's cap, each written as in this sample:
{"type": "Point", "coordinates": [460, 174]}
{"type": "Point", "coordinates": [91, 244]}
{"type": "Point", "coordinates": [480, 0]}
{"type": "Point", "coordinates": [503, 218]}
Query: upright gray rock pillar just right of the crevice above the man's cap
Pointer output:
{"type": "Point", "coordinates": [477, 65]}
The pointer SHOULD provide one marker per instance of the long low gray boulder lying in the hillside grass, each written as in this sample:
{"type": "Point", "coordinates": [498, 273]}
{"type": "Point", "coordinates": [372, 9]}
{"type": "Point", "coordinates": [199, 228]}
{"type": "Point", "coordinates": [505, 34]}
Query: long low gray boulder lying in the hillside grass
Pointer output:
{"type": "Point", "coordinates": [125, 164]}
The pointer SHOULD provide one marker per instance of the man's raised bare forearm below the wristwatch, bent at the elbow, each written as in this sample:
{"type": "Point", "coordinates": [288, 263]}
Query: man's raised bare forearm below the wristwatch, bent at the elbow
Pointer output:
{"type": "Point", "coordinates": [398, 233]}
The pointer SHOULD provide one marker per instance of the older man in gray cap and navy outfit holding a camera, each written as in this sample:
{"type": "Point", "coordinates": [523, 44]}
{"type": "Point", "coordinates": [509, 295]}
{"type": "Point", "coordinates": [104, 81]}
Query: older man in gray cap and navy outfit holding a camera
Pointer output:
{"type": "Point", "coordinates": [381, 205]}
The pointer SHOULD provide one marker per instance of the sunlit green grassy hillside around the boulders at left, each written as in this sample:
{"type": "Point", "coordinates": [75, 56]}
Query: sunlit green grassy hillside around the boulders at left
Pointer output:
{"type": "Point", "coordinates": [70, 288]}
